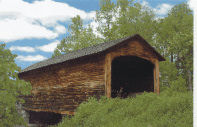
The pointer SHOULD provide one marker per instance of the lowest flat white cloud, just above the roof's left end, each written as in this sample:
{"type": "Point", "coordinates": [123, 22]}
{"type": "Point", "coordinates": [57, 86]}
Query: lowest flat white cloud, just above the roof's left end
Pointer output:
{"type": "Point", "coordinates": [30, 58]}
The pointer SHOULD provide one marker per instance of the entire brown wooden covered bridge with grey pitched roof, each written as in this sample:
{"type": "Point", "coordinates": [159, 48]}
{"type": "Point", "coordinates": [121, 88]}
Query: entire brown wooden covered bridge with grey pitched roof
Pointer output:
{"type": "Point", "coordinates": [60, 84]}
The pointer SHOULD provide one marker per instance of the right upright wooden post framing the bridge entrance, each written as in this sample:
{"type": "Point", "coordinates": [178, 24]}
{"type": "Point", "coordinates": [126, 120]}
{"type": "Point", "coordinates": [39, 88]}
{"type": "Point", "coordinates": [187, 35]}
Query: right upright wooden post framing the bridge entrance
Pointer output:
{"type": "Point", "coordinates": [156, 77]}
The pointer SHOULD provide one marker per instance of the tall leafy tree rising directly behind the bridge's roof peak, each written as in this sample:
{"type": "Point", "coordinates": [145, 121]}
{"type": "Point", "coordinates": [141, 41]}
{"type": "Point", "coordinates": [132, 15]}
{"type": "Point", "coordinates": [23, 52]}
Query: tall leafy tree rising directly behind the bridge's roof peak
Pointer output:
{"type": "Point", "coordinates": [125, 18]}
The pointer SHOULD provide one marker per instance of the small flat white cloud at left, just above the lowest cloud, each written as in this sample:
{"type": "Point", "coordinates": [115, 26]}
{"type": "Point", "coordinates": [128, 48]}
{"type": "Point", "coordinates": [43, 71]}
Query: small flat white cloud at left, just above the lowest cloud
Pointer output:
{"type": "Point", "coordinates": [22, 48]}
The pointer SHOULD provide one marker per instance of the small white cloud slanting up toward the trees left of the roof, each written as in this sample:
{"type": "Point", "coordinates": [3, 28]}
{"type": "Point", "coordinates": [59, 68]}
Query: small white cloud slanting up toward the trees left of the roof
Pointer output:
{"type": "Point", "coordinates": [49, 47]}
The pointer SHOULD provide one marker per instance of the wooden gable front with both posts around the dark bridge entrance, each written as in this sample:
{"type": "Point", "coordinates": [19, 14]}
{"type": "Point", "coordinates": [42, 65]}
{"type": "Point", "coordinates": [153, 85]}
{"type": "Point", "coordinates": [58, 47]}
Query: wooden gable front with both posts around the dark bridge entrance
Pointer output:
{"type": "Point", "coordinates": [132, 48]}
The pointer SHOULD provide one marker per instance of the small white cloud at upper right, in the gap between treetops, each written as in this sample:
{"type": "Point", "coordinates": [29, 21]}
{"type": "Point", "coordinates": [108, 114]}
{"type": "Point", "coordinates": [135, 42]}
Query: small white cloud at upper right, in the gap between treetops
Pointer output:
{"type": "Point", "coordinates": [162, 9]}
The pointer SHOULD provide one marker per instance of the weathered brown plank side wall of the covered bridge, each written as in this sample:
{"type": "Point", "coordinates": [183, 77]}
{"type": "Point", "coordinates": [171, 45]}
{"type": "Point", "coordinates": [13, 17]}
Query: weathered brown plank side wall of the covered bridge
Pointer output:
{"type": "Point", "coordinates": [63, 87]}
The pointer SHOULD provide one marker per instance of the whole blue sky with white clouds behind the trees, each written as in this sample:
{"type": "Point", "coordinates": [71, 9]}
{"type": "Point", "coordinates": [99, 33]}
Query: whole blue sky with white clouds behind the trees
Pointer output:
{"type": "Point", "coordinates": [33, 28]}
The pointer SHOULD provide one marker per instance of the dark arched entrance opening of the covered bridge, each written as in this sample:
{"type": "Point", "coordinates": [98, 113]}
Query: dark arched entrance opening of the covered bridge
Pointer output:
{"type": "Point", "coordinates": [131, 75]}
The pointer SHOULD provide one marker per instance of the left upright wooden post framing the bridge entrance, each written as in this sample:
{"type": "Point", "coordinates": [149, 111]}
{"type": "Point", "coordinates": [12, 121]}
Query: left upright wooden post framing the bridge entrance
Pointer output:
{"type": "Point", "coordinates": [108, 75]}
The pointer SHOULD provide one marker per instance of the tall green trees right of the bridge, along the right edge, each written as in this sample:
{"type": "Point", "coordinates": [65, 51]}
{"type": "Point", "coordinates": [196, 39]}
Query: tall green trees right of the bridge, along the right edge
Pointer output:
{"type": "Point", "coordinates": [175, 37]}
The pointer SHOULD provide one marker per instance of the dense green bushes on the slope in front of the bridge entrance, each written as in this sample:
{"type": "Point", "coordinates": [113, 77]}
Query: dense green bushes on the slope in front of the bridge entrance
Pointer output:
{"type": "Point", "coordinates": [172, 108]}
